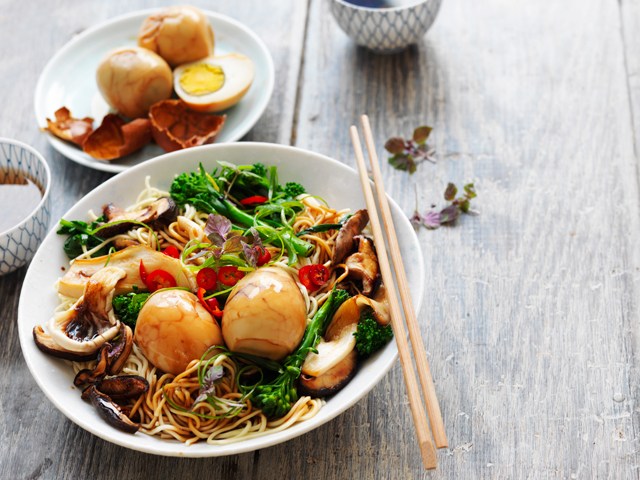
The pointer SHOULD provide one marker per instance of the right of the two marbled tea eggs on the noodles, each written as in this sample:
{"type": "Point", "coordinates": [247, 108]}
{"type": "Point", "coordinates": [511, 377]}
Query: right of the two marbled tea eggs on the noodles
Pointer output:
{"type": "Point", "coordinates": [265, 315]}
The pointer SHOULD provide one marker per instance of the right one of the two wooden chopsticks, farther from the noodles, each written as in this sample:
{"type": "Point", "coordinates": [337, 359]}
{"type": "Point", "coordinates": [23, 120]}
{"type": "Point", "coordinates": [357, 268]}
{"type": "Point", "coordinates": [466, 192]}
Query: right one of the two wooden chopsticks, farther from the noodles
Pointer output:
{"type": "Point", "coordinates": [428, 390]}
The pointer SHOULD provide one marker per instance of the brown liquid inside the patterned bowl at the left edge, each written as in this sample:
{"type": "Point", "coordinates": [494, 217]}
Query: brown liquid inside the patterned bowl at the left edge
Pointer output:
{"type": "Point", "coordinates": [19, 197]}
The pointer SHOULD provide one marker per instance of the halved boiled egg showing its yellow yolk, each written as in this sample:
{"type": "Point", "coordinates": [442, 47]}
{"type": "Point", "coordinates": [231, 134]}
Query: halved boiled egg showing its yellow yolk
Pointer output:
{"type": "Point", "coordinates": [214, 83]}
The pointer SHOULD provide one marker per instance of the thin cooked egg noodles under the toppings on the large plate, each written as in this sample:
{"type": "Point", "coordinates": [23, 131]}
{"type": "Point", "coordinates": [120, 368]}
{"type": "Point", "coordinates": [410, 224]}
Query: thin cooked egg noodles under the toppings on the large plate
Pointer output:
{"type": "Point", "coordinates": [167, 409]}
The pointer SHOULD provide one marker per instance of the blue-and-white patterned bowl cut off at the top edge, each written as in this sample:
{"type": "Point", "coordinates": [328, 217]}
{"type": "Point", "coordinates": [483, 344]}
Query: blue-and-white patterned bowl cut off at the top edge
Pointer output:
{"type": "Point", "coordinates": [385, 30]}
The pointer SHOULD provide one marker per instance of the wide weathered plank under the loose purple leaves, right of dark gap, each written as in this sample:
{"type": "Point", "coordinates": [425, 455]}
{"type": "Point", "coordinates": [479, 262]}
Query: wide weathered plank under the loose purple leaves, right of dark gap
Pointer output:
{"type": "Point", "coordinates": [530, 313]}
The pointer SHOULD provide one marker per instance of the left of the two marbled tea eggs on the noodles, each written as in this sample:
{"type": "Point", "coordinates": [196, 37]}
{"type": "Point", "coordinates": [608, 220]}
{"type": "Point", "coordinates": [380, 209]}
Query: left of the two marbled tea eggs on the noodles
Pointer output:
{"type": "Point", "coordinates": [173, 329]}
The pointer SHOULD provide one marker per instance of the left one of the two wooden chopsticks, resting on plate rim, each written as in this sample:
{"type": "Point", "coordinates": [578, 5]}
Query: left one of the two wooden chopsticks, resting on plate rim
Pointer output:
{"type": "Point", "coordinates": [429, 458]}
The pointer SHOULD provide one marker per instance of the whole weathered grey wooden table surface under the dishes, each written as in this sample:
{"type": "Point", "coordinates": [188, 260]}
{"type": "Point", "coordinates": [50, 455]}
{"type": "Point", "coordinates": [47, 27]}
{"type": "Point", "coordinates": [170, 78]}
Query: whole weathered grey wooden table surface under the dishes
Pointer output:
{"type": "Point", "coordinates": [531, 312]}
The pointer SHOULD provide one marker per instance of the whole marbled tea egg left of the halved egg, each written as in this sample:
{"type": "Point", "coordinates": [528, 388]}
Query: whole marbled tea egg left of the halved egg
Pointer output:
{"type": "Point", "coordinates": [131, 79]}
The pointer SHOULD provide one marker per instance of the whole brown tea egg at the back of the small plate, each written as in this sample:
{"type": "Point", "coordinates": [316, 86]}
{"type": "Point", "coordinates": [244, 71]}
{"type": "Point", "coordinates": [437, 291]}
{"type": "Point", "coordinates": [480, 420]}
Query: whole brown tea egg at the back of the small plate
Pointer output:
{"type": "Point", "coordinates": [178, 34]}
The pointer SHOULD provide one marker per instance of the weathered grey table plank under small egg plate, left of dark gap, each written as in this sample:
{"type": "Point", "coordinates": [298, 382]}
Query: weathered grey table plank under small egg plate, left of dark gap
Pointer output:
{"type": "Point", "coordinates": [37, 440]}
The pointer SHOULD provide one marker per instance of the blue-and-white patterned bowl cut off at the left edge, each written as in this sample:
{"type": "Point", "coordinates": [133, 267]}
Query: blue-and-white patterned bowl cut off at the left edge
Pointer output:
{"type": "Point", "coordinates": [19, 244]}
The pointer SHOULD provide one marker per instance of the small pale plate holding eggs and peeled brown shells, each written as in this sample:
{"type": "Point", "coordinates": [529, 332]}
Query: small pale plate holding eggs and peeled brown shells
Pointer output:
{"type": "Point", "coordinates": [69, 80]}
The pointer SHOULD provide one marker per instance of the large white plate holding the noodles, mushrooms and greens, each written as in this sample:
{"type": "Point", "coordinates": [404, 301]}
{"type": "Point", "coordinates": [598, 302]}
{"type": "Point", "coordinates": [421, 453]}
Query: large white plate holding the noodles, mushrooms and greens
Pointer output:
{"type": "Point", "coordinates": [338, 184]}
